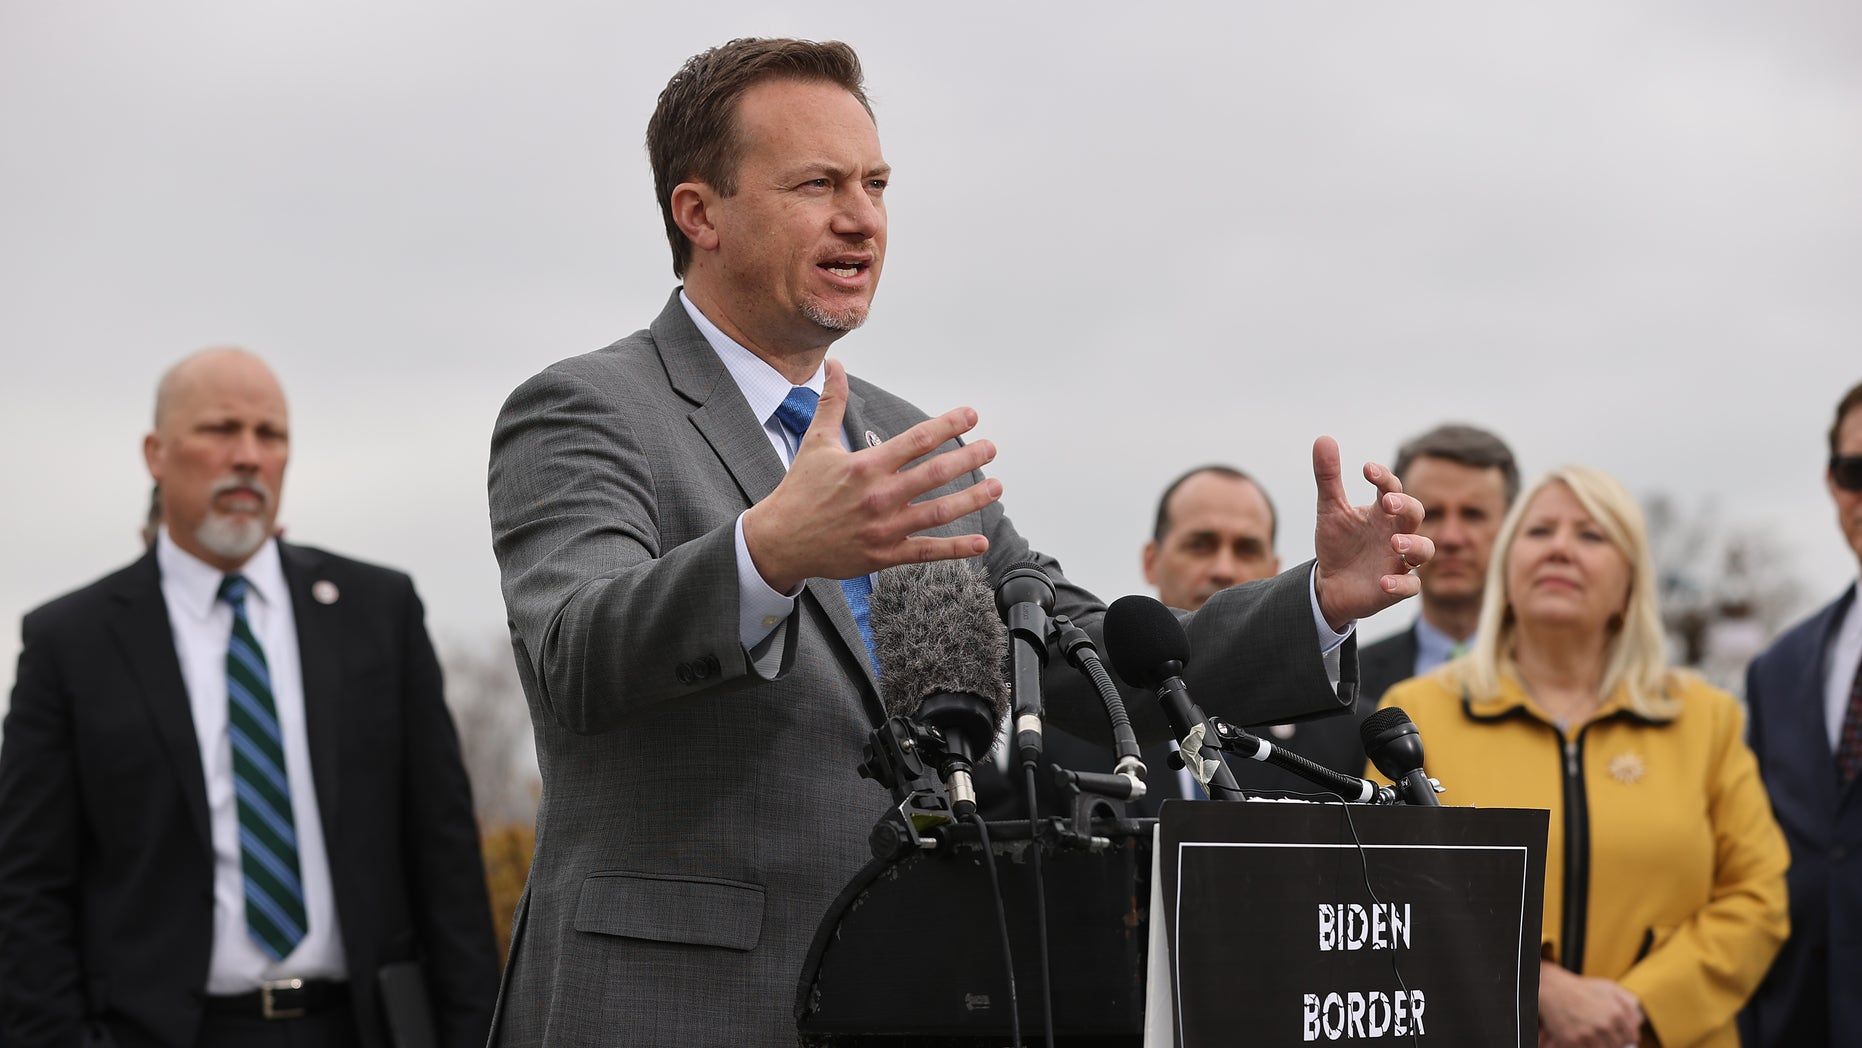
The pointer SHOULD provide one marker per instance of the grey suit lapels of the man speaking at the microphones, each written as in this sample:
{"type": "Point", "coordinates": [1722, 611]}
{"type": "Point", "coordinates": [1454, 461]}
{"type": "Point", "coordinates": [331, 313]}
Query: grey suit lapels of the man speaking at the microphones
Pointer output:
{"type": "Point", "coordinates": [725, 422]}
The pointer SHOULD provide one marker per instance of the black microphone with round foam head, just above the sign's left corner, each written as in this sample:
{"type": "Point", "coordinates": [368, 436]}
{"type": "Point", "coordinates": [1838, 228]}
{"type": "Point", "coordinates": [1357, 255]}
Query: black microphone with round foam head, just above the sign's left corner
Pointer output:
{"type": "Point", "coordinates": [1150, 649]}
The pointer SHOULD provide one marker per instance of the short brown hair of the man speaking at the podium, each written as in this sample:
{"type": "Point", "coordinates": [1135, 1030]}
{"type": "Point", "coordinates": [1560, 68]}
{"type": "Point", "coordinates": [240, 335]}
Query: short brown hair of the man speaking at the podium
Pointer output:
{"type": "Point", "coordinates": [694, 133]}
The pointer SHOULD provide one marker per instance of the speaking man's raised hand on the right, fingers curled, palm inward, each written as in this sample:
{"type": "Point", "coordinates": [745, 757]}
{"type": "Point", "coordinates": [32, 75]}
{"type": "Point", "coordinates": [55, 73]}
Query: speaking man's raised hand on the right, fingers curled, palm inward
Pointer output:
{"type": "Point", "coordinates": [1366, 554]}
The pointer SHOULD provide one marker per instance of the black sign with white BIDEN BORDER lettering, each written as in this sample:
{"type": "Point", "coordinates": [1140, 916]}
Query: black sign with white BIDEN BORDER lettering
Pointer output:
{"type": "Point", "coordinates": [1321, 924]}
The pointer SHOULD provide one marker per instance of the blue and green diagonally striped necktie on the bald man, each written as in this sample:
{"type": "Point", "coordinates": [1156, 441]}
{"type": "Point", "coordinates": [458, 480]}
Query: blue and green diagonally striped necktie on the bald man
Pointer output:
{"type": "Point", "coordinates": [267, 835]}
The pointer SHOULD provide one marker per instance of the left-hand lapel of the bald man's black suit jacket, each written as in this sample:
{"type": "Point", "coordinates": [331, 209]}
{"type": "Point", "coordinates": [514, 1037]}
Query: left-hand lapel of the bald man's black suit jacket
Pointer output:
{"type": "Point", "coordinates": [148, 641]}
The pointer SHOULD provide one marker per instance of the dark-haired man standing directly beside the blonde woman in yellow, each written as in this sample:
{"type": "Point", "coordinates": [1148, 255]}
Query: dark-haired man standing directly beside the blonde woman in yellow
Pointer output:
{"type": "Point", "coordinates": [1466, 481]}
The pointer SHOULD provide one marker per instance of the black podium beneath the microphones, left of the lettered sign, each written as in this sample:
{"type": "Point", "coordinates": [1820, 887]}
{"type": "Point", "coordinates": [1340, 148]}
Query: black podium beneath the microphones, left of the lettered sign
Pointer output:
{"type": "Point", "coordinates": [910, 950]}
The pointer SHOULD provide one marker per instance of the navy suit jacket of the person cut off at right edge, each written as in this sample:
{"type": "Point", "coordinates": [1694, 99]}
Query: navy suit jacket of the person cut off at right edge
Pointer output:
{"type": "Point", "coordinates": [1824, 827]}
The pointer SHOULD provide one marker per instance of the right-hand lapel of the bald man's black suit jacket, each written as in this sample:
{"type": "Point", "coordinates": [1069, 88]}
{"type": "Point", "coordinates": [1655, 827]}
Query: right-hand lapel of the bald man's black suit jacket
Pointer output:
{"type": "Point", "coordinates": [321, 660]}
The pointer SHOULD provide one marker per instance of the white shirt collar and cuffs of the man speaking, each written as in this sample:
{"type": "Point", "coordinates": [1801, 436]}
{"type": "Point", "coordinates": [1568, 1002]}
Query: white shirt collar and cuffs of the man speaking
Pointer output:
{"type": "Point", "coordinates": [761, 610]}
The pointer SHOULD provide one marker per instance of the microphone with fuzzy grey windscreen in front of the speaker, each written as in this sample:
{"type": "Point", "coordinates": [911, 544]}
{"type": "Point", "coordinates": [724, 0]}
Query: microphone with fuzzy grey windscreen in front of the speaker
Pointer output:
{"type": "Point", "coordinates": [938, 638]}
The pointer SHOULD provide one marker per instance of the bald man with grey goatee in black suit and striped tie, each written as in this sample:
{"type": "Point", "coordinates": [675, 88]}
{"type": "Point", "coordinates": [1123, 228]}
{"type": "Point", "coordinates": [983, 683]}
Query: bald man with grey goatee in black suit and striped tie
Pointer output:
{"type": "Point", "coordinates": [232, 799]}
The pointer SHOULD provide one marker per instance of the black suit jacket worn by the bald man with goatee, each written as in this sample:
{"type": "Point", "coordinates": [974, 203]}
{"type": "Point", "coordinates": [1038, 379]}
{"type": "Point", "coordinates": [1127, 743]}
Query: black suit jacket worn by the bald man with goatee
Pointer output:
{"type": "Point", "coordinates": [105, 850]}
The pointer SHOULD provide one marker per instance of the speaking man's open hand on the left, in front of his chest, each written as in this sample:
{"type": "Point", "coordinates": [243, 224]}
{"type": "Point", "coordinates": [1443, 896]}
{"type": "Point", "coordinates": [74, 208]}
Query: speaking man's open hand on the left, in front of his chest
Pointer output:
{"type": "Point", "coordinates": [841, 515]}
